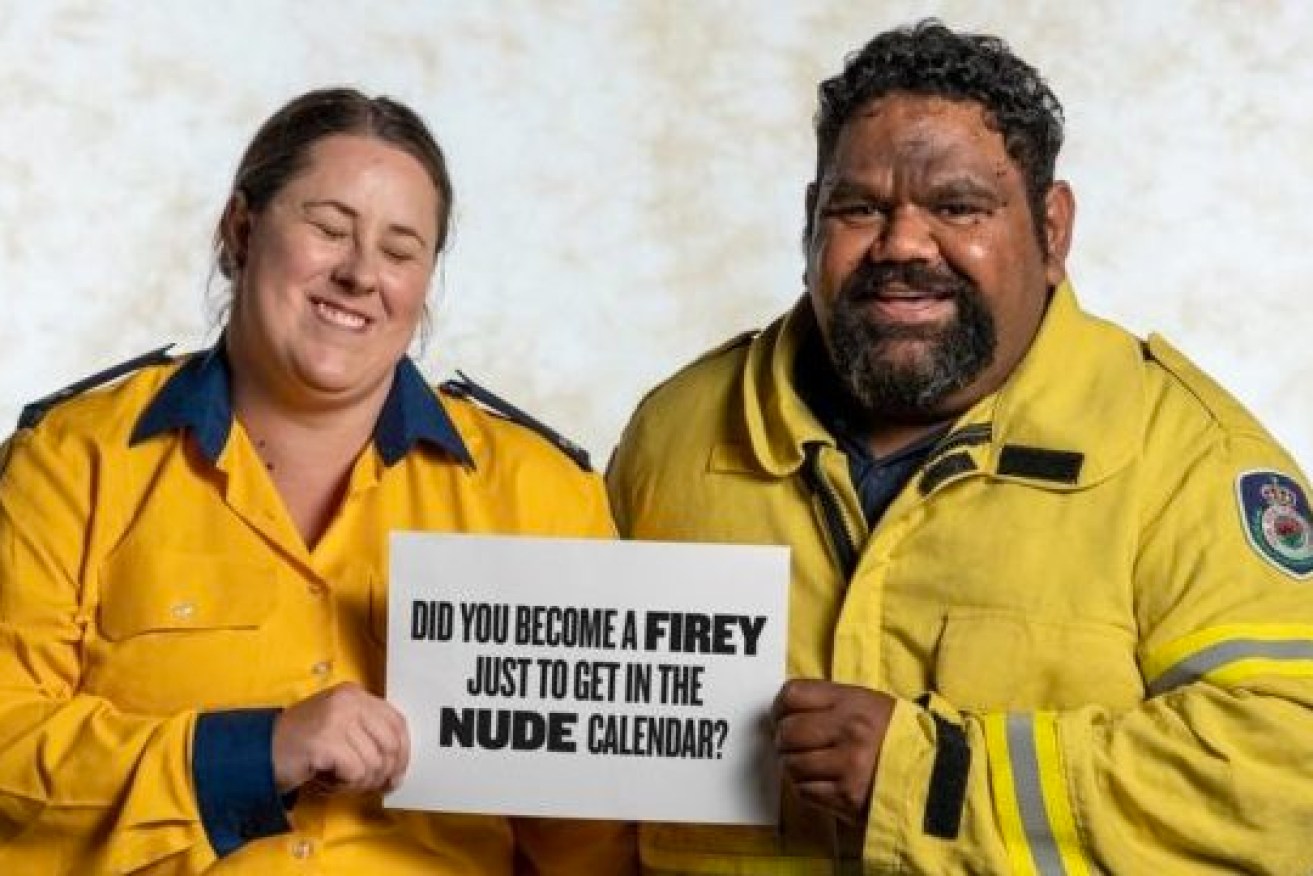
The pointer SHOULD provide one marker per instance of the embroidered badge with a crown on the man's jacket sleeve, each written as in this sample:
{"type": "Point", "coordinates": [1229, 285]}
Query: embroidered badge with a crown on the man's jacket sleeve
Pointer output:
{"type": "Point", "coordinates": [1277, 521]}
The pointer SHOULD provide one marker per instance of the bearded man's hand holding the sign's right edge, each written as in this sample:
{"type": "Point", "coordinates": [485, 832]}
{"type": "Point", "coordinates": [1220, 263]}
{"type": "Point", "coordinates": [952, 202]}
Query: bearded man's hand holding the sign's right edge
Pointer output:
{"type": "Point", "coordinates": [829, 739]}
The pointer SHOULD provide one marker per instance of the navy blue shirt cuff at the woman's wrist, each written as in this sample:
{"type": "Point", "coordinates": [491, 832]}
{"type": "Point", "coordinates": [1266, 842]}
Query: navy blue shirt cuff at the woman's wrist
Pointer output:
{"type": "Point", "coordinates": [233, 770]}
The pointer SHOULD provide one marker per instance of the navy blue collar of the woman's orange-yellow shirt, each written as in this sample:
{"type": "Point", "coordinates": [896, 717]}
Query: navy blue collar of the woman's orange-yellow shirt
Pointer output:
{"type": "Point", "coordinates": [198, 399]}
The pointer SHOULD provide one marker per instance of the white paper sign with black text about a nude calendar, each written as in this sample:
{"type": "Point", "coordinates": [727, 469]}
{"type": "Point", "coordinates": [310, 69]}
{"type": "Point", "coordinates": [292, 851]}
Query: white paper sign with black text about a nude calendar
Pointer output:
{"type": "Point", "coordinates": [588, 678]}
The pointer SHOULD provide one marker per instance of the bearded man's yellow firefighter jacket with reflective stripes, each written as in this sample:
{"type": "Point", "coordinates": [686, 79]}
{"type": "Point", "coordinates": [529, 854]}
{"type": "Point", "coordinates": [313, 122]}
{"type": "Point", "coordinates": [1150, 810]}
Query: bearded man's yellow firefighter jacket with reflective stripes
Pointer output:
{"type": "Point", "coordinates": [1093, 606]}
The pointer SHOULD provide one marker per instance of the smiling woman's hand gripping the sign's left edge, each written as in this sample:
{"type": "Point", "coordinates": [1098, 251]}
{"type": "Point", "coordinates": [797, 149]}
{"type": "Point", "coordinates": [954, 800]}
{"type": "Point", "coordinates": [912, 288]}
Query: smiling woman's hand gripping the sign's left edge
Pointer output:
{"type": "Point", "coordinates": [345, 739]}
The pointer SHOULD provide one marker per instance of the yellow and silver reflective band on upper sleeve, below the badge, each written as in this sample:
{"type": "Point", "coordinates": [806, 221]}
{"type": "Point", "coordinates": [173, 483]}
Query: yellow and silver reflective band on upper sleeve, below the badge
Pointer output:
{"type": "Point", "coordinates": [1231, 655]}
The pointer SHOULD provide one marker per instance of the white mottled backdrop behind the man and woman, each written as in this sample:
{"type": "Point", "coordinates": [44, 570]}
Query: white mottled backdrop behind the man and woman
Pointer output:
{"type": "Point", "coordinates": [630, 175]}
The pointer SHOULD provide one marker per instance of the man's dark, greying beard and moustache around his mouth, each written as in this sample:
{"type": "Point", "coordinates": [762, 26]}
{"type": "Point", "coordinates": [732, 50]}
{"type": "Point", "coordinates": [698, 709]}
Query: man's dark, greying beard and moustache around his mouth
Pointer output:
{"type": "Point", "coordinates": [951, 357]}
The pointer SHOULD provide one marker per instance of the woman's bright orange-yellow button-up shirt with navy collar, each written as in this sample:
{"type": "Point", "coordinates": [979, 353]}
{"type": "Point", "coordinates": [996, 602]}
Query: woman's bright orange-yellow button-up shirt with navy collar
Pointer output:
{"type": "Point", "coordinates": [149, 576]}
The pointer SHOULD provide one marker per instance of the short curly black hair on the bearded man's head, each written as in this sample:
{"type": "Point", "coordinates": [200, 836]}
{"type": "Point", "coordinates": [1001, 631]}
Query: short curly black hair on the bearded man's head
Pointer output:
{"type": "Point", "coordinates": [929, 58]}
